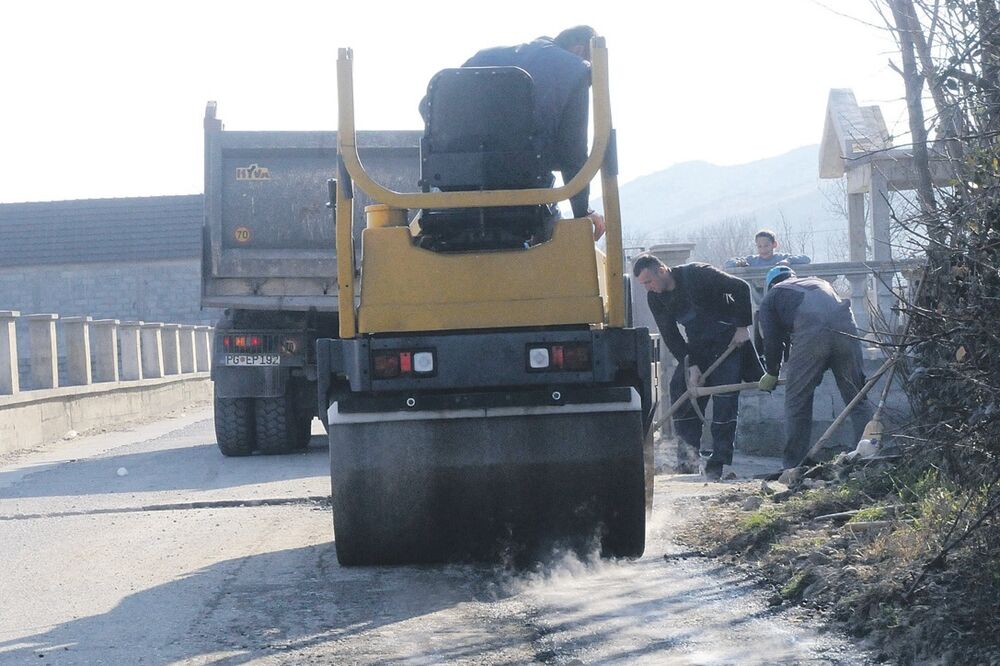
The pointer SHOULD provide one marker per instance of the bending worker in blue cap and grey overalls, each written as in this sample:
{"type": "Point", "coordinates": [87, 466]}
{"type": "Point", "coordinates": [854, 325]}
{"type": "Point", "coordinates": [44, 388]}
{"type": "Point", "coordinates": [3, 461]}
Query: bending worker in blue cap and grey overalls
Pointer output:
{"type": "Point", "coordinates": [808, 314]}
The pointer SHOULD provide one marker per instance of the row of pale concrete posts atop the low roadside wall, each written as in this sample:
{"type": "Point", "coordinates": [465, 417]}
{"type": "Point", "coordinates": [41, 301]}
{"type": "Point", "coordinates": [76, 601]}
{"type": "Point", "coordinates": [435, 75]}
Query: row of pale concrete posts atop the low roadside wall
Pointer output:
{"type": "Point", "coordinates": [101, 351]}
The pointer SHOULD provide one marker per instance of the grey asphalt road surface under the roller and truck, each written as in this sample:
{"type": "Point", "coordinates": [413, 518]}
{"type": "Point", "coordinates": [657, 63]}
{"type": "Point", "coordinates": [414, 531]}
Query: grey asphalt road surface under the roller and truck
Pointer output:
{"type": "Point", "coordinates": [149, 547]}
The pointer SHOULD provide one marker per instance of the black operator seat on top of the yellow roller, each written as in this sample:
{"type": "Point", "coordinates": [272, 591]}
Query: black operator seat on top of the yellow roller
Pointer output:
{"type": "Point", "coordinates": [480, 135]}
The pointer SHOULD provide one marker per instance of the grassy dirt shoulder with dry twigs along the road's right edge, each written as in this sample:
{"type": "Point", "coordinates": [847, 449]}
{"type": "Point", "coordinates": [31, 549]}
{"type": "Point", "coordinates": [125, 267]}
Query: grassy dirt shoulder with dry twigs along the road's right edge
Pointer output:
{"type": "Point", "coordinates": [858, 545]}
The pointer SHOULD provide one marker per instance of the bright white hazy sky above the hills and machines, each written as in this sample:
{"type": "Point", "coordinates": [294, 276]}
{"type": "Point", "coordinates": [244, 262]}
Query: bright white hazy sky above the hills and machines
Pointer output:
{"type": "Point", "coordinates": [105, 99]}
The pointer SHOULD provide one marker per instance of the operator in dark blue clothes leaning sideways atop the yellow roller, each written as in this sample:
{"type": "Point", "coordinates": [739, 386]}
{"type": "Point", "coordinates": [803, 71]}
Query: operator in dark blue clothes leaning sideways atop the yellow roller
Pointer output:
{"type": "Point", "coordinates": [560, 71]}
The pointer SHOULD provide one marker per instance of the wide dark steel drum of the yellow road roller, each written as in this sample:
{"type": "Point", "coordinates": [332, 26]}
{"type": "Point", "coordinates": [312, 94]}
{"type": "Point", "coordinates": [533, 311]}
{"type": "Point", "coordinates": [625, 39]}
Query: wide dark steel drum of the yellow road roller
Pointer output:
{"type": "Point", "coordinates": [497, 484]}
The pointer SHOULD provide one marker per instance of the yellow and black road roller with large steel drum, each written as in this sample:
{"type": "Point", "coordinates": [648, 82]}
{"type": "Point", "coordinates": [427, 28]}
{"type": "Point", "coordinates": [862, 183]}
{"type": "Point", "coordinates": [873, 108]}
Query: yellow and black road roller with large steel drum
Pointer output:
{"type": "Point", "coordinates": [485, 396]}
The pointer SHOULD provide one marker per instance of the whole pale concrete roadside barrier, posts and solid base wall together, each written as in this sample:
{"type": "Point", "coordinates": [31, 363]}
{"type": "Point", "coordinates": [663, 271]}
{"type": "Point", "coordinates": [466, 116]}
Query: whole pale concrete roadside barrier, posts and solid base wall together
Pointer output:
{"type": "Point", "coordinates": [97, 393]}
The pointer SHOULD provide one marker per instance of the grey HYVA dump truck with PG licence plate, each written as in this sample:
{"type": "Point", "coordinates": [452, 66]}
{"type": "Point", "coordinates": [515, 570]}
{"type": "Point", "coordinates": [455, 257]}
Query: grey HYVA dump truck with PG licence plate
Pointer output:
{"type": "Point", "coordinates": [269, 261]}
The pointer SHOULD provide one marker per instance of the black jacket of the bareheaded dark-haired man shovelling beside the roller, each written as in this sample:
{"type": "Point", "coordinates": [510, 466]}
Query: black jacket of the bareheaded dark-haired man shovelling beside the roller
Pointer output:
{"type": "Point", "coordinates": [710, 304]}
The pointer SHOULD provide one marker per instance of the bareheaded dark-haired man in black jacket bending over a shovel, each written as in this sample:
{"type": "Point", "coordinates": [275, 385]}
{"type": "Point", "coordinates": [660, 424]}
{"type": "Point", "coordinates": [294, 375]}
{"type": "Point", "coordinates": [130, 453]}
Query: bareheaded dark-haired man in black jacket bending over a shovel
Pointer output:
{"type": "Point", "coordinates": [714, 309]}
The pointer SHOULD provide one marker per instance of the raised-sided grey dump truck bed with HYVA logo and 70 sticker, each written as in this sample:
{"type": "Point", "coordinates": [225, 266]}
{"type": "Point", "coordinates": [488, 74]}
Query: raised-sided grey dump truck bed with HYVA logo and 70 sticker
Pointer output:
{"type": "Point", "coordinates": [268, 234]}
